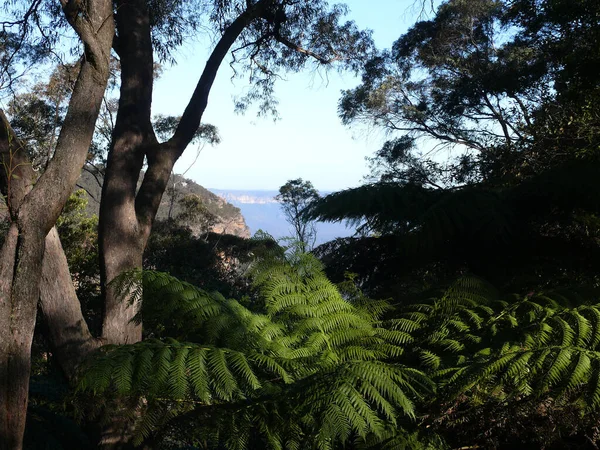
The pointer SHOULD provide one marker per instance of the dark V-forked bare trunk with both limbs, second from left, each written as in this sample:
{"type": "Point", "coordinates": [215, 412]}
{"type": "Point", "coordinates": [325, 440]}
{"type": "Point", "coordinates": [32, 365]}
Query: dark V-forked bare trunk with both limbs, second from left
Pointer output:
{"type": "Point", "coordinates": [126, 217]}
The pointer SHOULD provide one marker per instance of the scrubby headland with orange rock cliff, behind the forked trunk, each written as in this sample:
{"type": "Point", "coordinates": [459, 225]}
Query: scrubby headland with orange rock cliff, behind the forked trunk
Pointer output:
{"type": "Point", "coordinates": [229, 217]}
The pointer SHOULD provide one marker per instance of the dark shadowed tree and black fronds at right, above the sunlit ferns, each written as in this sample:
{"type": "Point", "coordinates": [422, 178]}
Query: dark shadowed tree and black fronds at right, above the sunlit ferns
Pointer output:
{"type": "Point", "coordinates": [516, 203]}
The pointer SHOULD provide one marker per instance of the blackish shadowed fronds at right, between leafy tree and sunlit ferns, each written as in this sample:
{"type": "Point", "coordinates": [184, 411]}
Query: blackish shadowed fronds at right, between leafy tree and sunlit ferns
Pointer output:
{"type": "Point", "coordinates": [541, 232]}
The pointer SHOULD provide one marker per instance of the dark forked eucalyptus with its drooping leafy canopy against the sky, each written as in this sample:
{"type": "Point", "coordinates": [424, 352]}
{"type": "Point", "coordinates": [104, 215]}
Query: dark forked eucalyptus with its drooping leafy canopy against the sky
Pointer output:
{"type": "Point", "coordinates": [263, 37]}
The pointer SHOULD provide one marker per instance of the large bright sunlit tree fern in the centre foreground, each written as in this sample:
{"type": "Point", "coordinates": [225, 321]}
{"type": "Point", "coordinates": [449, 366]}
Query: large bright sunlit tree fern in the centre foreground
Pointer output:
{"type": "Point", "coordinates": [315, 361]}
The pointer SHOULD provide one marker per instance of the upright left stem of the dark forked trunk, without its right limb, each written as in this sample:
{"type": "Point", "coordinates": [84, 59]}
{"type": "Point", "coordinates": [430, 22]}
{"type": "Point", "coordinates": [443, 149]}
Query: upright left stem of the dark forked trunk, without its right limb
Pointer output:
{"type": "Point", "coordinates": [121, 245]}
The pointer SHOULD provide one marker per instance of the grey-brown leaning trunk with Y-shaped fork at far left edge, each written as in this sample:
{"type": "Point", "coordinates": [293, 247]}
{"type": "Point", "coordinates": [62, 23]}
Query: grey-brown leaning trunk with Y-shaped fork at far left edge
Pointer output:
{"type": "Point", "coordinates": [33, 211]}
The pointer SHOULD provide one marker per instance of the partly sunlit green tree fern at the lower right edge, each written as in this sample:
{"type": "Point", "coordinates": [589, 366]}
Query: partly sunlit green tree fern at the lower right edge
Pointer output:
{"type": "Point", "coordinates": [538, 346]}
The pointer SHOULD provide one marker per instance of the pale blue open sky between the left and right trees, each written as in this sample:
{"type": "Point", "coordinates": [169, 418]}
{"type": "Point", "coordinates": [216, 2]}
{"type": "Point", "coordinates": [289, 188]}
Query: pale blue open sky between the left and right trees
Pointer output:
{"type": "Point", "coordinates": [308, 141]}
